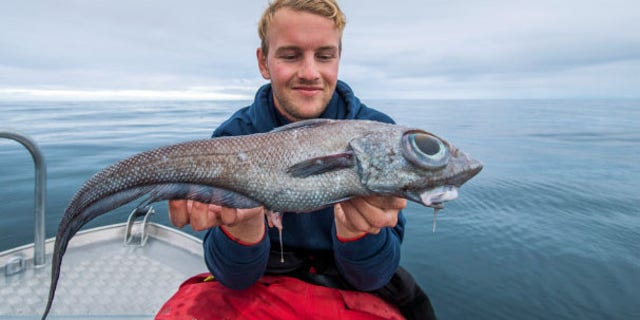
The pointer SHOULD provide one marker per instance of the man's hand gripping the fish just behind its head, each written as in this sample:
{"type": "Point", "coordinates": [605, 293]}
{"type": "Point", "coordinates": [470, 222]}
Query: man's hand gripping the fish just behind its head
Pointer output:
{"type": "Point", "coordinates": [358, 216]}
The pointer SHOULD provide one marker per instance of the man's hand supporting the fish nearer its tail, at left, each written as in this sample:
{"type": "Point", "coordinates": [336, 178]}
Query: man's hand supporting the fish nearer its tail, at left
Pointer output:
{"type": "Point", "coordinates": [246, 225]}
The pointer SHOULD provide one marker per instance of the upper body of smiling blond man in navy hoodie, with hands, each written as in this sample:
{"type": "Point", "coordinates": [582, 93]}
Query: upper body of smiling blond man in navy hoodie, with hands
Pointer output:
{"type": "Point", "coordinates": [359, 239]}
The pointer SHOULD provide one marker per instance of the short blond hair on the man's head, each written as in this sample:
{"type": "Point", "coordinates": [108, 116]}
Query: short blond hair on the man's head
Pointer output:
{"type": "Point", "coordinates": [326, 8]}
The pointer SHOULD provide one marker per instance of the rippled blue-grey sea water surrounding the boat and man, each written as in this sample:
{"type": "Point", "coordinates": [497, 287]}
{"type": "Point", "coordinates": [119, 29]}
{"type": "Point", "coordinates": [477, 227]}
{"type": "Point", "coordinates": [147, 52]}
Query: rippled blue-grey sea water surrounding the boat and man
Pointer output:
{"type": "Point", "coordinates": [550, 229]}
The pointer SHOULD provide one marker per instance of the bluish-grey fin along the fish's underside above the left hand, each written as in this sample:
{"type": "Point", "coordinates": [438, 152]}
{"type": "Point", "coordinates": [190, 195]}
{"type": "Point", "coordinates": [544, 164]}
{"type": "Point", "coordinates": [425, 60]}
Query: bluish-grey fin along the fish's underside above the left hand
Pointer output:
{"type": "Point", "coordinates": [200, 193]}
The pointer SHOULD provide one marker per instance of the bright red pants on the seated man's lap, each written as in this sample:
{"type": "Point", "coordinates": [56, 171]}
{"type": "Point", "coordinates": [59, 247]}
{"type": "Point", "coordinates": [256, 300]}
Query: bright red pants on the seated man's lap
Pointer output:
{"type": "Point", "coordinates": [272, 297]}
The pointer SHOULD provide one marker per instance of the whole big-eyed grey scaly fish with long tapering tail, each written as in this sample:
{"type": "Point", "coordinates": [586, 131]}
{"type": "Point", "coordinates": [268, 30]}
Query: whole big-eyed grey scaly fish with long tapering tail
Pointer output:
{"type": "Point", "coordinates": [297, 168]}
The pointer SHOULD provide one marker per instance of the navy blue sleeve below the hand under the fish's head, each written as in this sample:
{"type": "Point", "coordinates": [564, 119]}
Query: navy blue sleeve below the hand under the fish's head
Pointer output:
{"type": "Point", "coordinates": [370, 262]}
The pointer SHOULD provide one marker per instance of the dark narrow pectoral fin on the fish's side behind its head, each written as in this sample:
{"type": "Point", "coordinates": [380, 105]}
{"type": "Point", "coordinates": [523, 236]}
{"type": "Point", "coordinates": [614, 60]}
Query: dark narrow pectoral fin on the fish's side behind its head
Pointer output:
{"type": "Point", "coordinates": [322, 164]}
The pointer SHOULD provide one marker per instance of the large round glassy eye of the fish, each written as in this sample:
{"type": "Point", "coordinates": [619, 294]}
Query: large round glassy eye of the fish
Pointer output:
{"type": "Point", "coordinates": [425, 150]}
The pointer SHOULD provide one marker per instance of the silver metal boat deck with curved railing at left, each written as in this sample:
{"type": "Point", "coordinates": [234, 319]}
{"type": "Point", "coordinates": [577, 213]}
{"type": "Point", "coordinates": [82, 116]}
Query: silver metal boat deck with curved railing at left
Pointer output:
{"type": "Point", "coordinates": [126, 270]}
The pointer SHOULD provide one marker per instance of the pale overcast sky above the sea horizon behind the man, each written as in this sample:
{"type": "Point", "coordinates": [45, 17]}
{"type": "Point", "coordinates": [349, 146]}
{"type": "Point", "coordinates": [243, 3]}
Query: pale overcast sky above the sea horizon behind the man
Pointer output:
{"type": "Point", "coordinates": [406, 49]}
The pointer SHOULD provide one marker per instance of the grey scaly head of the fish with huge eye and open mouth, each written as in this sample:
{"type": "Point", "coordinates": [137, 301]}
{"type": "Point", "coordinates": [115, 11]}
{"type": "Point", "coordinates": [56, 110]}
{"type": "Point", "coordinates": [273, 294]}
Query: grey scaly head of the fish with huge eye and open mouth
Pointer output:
{"type": "Point", "coordinates": [414, 164]}
